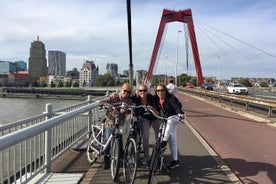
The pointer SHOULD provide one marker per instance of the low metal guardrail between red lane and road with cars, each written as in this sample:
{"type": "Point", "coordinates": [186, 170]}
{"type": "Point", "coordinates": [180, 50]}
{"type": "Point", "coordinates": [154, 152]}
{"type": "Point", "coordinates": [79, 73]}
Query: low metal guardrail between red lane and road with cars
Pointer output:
{"type": "Point", "coordinates": [250, 103]}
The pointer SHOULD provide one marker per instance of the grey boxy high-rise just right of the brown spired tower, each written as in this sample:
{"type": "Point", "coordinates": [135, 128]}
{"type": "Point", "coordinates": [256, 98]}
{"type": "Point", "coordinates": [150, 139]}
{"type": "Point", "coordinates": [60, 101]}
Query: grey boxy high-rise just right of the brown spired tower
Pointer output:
{"type": "Point", "coordinates": [56, 63]}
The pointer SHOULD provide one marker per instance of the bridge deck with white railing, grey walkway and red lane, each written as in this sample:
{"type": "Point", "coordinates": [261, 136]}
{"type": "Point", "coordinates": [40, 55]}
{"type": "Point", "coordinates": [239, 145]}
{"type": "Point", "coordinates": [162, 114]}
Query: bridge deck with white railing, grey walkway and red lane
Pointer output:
{"type": "Point", "coordinates": [217, 146]}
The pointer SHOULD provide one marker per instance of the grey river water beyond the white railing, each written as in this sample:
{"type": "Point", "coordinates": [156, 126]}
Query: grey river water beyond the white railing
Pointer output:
{"type": "Point", "coordinates": [13, 109]}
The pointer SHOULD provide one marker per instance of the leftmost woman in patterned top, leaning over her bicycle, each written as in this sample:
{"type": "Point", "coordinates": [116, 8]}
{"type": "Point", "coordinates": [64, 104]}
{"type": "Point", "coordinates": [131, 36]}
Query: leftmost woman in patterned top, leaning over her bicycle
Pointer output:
{"type": "Point", "coordinates": [124, 97]}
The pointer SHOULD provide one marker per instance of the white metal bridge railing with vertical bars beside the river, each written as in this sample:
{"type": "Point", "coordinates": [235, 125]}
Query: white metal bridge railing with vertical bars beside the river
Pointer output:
{"type": "Point", "coordinates": [28, 147]}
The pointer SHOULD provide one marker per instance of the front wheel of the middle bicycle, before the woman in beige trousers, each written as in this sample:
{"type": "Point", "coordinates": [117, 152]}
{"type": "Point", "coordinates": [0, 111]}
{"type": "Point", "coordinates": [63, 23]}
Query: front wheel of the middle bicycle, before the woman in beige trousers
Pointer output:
{"type": "Point", "coordinates": [130, 161]}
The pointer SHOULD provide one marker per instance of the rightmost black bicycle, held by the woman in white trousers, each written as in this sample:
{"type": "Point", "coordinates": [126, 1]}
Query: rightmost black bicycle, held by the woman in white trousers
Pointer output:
{"type": "Point", "coordinates": [157, 157]}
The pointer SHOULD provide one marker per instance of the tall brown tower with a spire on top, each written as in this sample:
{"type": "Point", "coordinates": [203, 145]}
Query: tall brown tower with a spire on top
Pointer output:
{"type": "Point", "coordinates": [37, 61]}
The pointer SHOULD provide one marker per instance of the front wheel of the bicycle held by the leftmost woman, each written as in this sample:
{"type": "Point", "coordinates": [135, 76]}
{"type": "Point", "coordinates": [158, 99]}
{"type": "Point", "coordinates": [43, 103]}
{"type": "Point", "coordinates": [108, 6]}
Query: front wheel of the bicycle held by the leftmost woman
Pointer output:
{"type": "Point", "coordinates": [115, 158]}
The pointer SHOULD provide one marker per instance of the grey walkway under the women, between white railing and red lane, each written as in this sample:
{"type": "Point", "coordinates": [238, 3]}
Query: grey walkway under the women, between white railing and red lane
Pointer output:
{"type": "Point", "coordinates": [198, 164]}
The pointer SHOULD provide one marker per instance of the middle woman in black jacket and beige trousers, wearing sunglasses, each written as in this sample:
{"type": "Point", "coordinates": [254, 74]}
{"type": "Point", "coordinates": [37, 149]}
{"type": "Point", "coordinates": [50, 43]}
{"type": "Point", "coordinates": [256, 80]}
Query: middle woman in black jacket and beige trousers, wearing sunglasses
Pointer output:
{"type": "Point", "coordinates": [143, 97]}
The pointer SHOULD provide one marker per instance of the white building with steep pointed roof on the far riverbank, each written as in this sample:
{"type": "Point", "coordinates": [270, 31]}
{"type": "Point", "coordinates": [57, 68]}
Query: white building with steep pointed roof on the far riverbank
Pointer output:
{"type": "Point", "coordinates": [88, 73]}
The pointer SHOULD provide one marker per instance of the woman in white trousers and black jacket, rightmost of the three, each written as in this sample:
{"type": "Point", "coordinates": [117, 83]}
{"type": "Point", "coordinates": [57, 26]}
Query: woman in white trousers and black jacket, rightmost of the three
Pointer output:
{"type": "Point", "coordinates": [168, 105]}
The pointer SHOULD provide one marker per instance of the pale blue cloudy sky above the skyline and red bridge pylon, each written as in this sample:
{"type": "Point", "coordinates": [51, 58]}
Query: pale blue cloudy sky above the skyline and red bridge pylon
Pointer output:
{"type": "Point", "coordinates": [235, 38]}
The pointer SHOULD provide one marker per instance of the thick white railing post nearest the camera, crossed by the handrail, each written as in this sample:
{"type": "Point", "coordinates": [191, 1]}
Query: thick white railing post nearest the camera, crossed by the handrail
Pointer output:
{"type": "Point", "coordinates": [48, 139]}
